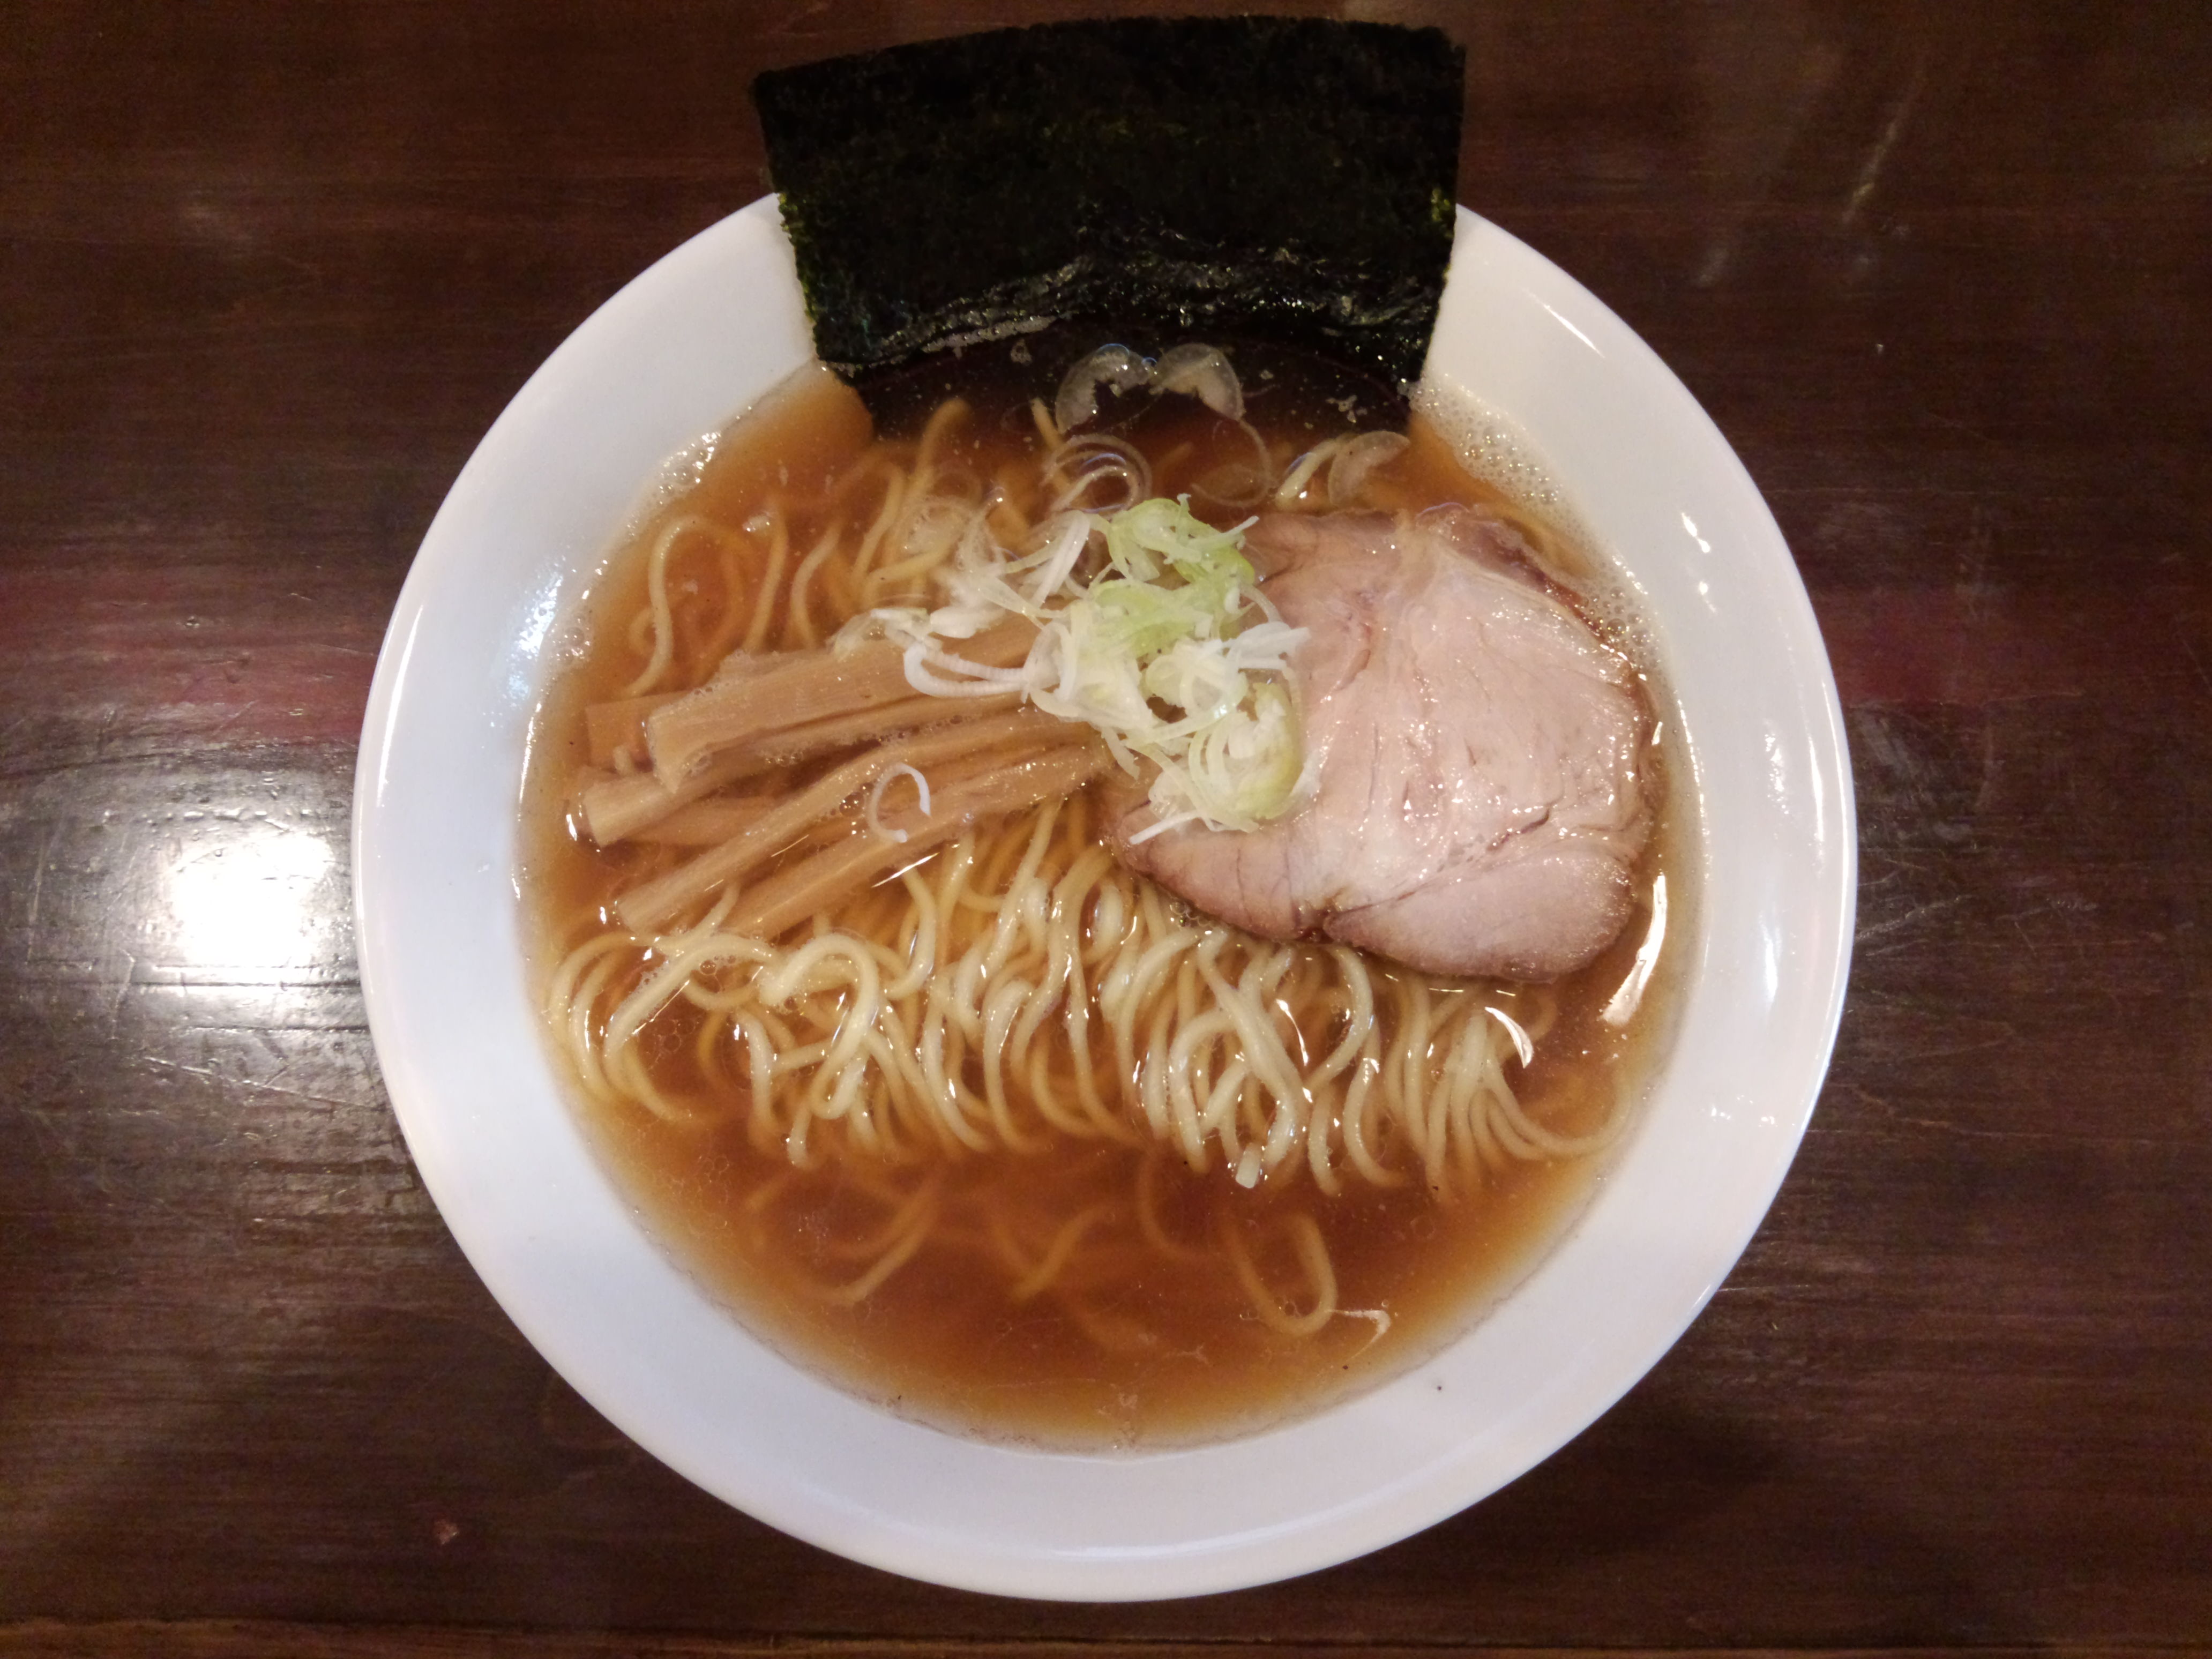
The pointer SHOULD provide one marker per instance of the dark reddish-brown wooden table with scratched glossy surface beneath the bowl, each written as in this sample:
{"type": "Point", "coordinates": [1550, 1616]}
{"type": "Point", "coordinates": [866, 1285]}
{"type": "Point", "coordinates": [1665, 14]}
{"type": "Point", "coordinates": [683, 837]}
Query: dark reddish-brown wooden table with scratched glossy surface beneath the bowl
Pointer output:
{"type": "Point", "coordinates": [1941, 273]}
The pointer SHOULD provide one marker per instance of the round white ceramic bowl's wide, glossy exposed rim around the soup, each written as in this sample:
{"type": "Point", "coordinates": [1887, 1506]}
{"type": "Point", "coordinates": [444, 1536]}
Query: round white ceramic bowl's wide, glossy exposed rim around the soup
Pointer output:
{"type": "Point", "coordinates": [680, 353]}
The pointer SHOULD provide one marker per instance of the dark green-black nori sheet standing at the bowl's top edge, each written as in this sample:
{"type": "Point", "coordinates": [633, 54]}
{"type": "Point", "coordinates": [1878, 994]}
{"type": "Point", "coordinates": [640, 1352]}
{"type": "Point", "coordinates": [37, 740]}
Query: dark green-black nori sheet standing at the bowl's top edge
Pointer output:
{"type": "Point", "coordinates": [1291, 178]}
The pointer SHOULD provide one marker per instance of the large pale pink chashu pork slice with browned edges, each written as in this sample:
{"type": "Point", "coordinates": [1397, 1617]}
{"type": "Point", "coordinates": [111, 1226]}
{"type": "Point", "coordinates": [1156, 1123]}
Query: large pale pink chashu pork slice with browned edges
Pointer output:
{"type": "Point", "coordinates": [1472, 749]}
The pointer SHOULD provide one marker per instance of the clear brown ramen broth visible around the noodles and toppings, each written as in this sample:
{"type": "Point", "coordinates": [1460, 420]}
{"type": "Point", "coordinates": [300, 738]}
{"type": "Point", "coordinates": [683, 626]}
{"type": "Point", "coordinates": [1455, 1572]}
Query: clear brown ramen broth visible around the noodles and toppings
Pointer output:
{"type": "Point", "coordinates": [1145, 1348]}
